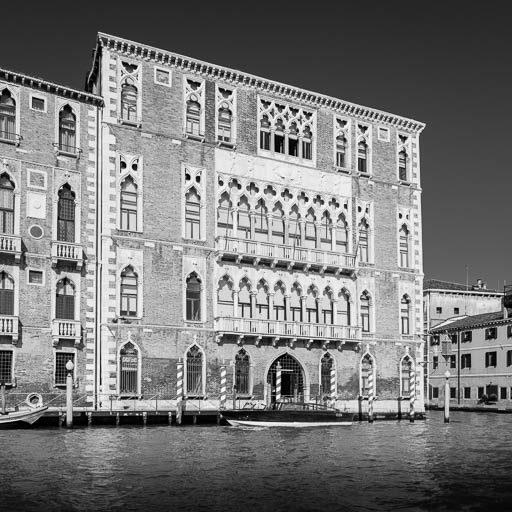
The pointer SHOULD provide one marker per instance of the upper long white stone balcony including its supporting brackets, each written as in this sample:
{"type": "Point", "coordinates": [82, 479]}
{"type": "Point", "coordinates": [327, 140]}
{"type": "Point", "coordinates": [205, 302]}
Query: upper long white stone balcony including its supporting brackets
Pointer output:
{"type": "Point", "coordinates": [287, 255]}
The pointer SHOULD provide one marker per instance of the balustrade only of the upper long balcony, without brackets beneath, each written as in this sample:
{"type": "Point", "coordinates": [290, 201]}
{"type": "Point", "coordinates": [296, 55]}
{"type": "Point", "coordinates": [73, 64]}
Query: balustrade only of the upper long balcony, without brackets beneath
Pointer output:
{"type": "Point", "coordinates": [284, 252]}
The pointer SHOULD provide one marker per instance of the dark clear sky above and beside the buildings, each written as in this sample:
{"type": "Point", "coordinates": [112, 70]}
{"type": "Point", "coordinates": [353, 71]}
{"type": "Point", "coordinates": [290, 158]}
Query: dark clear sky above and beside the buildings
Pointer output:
{"type": "Point", "coordinates": [447, 64]}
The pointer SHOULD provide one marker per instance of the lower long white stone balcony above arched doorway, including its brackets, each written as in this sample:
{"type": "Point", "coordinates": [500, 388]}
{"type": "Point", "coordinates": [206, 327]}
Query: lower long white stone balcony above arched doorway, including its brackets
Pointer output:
{"type": "Point", "coordinates": [289, 332]}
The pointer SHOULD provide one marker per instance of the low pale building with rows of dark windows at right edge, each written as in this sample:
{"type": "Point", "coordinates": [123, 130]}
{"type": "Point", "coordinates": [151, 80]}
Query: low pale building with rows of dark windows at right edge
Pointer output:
{"type": "Point", "coordinates": [477, 351]}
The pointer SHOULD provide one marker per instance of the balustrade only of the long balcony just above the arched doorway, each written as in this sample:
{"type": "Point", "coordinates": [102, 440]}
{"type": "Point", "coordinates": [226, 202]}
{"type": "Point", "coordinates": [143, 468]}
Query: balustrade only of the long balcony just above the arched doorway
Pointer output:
{"type": "Point", "coordinates": [272, 328]}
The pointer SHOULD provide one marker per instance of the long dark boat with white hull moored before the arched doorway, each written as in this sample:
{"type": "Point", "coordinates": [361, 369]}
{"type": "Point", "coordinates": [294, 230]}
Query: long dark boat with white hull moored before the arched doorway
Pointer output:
{"type": "Point", "coordinates": [288, 414]}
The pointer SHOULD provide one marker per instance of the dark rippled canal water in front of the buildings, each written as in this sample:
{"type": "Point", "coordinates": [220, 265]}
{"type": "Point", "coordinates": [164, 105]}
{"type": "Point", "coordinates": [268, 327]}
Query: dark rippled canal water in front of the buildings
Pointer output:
{"type": "Point", "coordinates": [384, 466]}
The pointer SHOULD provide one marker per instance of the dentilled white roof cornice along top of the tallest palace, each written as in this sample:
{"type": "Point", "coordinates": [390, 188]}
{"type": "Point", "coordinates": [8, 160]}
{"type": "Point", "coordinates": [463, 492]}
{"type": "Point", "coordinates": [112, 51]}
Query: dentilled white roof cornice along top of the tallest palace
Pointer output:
{"type": "Point", "coordinates": [240, 78]}
